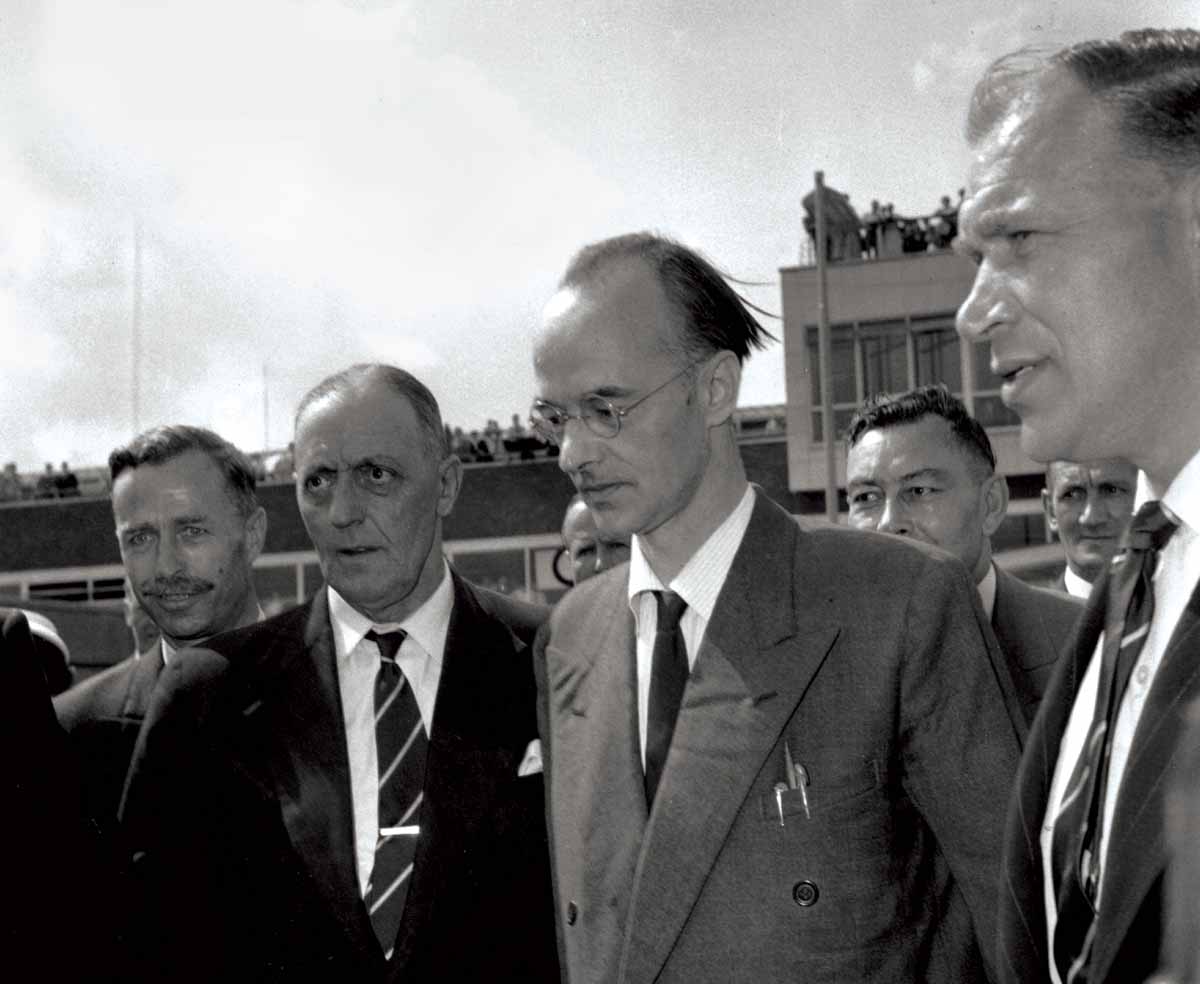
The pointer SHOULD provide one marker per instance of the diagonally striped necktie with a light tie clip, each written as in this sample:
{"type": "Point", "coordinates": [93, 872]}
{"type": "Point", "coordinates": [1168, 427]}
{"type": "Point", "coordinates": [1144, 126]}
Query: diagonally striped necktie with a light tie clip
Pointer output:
{"type": "Point", "coordinates": [401, 745]}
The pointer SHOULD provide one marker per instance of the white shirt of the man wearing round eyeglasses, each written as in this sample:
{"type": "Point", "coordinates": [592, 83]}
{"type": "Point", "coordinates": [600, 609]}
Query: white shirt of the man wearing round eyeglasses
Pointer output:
{"type": "Point", "coordinates": [699, 584]}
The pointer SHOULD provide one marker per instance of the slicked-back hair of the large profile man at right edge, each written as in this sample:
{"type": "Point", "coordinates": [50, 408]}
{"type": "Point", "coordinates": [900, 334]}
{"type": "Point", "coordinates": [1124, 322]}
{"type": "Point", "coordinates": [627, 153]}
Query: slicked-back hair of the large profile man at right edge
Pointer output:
{"type": "Point", "coordinates": [1150, 80]}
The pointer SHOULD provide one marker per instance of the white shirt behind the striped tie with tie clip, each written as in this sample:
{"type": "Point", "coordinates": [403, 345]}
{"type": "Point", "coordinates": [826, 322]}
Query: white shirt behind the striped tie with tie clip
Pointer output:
{"type": "Point", "coordinates": [358, 664]}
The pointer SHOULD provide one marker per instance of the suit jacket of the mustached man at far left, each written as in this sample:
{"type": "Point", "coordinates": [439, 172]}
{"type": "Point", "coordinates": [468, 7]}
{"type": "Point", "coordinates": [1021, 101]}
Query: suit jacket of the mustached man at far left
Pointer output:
{"type": "Point", "coordinates": [104, 716]}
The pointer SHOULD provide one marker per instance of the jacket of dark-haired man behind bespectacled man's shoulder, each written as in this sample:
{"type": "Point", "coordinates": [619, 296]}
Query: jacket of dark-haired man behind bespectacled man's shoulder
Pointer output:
{"type": "Point", "coordinates": [1033, 627]}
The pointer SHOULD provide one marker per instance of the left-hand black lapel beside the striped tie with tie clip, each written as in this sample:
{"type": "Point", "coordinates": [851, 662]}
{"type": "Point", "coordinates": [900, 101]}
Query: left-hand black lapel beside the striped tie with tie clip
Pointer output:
{"type": "Point", "coordinates": [296, 739]}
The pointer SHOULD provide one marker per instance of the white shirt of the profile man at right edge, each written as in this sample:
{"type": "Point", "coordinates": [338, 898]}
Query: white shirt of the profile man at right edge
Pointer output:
{"type": "Point", "coordinates": [1175, 580]}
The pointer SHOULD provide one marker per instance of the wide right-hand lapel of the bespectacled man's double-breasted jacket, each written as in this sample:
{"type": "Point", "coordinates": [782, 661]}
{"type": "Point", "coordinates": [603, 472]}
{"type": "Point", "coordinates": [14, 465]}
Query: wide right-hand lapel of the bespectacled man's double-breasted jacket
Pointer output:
{"type": "Point", "coordinates": [760, 652]}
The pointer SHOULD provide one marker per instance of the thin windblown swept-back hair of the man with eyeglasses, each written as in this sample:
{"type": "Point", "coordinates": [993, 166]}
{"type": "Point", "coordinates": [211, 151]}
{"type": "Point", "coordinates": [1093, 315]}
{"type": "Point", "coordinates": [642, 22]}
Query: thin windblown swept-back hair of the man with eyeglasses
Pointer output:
{"type": "Point", "coordinates": [712, 315]}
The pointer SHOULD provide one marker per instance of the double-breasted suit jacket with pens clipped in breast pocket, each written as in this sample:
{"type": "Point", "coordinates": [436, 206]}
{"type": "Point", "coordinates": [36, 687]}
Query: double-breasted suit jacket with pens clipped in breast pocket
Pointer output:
{"type": "Point", "coordinates": [869, 659]}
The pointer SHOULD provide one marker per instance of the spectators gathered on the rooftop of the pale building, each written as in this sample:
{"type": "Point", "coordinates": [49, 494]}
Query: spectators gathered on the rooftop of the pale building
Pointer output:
{"type": "Point", "coordinates": [880, 233]}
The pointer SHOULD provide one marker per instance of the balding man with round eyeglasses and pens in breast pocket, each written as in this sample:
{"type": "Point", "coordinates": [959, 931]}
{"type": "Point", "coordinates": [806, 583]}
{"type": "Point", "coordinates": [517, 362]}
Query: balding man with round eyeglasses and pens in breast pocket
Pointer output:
{"type": "Point", "coordinates": [773, 752]}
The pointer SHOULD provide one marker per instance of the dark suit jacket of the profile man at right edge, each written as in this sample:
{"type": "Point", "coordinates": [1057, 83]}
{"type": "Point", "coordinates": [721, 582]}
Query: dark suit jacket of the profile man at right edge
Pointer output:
{"type": "Point", "coordinates": [1130, 928]}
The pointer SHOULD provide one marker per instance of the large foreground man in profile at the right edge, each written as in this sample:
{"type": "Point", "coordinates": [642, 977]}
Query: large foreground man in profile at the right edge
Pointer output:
{"type": "Point", "coordinates": [1084, 218]}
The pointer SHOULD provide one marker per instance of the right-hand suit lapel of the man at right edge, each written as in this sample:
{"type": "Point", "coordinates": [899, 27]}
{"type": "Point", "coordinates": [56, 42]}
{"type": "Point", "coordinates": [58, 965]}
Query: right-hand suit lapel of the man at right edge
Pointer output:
{"type": "Point", "coordinates": [1141, 818]}
